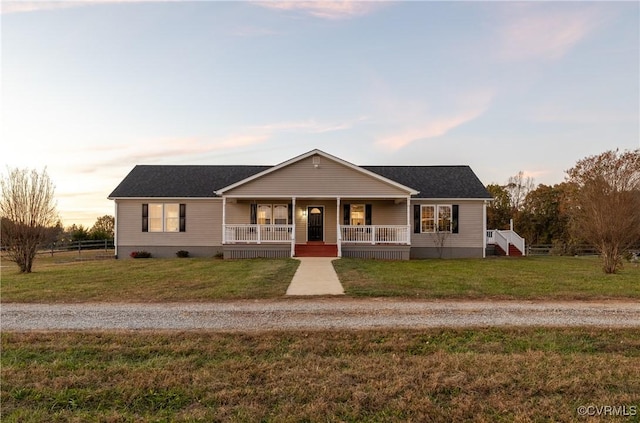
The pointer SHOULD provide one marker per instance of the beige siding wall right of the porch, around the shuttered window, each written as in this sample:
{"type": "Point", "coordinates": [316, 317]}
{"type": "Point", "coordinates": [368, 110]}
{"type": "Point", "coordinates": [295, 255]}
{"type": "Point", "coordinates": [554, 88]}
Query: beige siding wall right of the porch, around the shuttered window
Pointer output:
{"type": "Point", "coordinates": [470, 227]}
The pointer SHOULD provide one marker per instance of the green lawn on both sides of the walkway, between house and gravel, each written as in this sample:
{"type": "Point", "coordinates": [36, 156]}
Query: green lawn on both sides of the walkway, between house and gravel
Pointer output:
{"type": "Point", "coordinates": [196, 279]}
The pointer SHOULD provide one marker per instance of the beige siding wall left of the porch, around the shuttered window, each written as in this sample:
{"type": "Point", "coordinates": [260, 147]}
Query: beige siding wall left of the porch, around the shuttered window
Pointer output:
{"type": "Point", "coordinates": [203, 224]}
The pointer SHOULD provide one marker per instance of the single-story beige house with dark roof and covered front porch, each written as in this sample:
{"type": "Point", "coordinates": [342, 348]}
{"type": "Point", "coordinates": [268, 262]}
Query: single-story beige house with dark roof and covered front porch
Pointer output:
{"type": "Point", "coordinates": [314, 204]}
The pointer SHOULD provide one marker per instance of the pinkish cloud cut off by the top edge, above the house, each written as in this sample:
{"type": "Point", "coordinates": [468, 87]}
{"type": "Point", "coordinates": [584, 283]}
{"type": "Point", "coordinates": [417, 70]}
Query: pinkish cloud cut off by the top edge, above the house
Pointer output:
{"type": "Point", "coordinates": [340, 9]}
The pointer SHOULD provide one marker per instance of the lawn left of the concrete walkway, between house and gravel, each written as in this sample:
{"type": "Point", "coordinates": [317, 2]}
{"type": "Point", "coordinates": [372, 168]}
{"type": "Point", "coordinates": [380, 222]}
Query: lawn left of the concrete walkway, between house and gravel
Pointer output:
{"type": "Point", "coordinates": [147, 280]}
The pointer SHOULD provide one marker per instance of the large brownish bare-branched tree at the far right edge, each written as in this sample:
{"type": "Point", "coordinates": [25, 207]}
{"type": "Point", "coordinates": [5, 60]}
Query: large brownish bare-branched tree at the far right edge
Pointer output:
{"type": "Point", "coordinates": [606, 206]}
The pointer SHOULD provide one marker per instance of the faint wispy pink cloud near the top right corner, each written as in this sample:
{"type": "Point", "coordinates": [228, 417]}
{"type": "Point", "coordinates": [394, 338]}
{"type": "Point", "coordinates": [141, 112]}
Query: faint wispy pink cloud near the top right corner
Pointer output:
{"type": "Point", "coordinates": [532, 31]}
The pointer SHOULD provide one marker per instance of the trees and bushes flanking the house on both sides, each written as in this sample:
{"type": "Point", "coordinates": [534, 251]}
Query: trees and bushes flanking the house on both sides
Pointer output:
{"type": "Point", "coordinates": [598, 204]}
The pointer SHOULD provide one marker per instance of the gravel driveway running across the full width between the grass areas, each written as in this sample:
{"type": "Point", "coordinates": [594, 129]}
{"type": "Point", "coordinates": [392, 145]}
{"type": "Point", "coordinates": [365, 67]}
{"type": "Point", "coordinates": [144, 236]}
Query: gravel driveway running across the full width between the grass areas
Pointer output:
{"type": "Point", "coordinates": [309, 314]}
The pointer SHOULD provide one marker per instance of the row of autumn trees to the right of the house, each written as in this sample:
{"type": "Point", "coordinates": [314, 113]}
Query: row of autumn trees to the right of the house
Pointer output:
{"type": "Point", "coordinates": [598, 204]}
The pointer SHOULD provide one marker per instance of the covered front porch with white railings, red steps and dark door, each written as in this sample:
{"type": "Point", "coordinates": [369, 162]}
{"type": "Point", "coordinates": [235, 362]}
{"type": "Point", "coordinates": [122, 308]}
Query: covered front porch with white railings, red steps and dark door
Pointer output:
{"type": "Point", "coordinates": [294, 227]}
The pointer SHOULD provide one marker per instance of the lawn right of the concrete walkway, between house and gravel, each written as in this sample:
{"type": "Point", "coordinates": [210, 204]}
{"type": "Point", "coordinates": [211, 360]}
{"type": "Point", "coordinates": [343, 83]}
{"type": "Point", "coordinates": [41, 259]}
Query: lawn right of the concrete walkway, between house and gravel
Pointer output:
{"type": "Point", "coordinates": [553, 278]}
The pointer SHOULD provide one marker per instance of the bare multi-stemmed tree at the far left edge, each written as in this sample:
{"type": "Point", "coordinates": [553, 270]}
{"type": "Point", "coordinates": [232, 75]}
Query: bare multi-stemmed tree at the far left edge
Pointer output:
{"type": "Point", "coordinates": [27, 208]}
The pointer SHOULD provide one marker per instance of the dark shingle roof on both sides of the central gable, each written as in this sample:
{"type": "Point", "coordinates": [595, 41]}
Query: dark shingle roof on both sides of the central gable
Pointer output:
{"type": "Point", "coordinates": [201, 181]}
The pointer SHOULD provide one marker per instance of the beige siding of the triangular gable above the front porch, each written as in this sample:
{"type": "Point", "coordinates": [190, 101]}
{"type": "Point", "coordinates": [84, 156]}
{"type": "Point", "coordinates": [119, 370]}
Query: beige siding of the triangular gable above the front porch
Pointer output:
{"type": "Point", "coordinates": [330, 179]}
